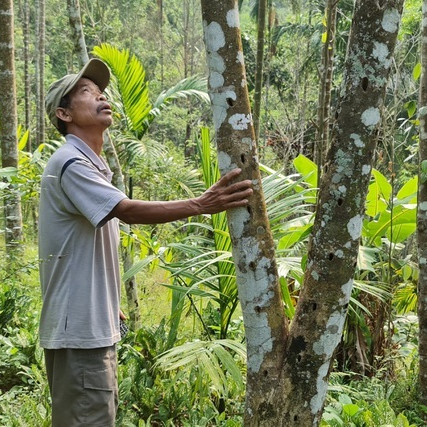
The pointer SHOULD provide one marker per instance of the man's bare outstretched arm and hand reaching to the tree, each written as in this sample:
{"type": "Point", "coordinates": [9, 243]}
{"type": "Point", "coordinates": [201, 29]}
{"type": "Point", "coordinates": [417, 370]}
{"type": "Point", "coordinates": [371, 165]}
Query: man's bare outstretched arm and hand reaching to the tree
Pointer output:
{"type": "Point", "coordinates": [221, 196]}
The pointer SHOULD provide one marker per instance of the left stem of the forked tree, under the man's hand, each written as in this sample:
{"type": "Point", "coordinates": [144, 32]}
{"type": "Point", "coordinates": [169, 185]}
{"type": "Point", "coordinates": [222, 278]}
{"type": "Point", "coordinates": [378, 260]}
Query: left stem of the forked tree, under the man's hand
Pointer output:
{"type": "Point", "coordinates": [253, 246]}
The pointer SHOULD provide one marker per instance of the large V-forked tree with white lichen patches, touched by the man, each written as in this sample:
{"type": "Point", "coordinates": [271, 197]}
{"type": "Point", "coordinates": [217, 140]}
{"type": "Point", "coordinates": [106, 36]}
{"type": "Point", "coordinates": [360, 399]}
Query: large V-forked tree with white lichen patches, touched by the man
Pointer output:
{"type": "Point", "coordinates": [288, 370]}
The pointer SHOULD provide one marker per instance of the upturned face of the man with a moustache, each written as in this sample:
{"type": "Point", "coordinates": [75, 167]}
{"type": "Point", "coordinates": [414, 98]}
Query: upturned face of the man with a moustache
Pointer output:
{"type": "Point", "coordinates": [88, 106]}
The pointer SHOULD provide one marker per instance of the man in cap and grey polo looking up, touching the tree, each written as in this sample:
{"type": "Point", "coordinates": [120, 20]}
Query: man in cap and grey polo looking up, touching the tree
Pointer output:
{"type": "Point", "coordinates": [78, 246]}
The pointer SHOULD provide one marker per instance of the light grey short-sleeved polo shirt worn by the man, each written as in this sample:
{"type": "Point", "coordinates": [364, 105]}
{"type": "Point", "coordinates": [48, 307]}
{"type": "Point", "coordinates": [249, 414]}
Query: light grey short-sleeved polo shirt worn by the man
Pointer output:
{"type": "Point", "coordinates": [79, 266]}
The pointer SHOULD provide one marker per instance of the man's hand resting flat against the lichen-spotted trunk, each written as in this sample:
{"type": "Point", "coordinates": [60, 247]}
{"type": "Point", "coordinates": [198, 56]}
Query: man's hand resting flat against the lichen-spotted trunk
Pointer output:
{"type": "Point", "coordinates": [224, 195]}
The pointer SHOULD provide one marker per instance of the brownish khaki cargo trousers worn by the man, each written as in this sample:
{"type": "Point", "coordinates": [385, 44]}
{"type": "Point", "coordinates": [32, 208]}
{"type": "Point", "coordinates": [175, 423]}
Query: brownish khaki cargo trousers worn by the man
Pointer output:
{"type": "Point", "coordinates": [83, 386]}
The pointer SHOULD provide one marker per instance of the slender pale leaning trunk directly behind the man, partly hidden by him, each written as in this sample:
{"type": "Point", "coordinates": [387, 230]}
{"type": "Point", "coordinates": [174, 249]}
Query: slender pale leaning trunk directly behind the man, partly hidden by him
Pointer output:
{"type": "Point", "coordinates": [113, 161]}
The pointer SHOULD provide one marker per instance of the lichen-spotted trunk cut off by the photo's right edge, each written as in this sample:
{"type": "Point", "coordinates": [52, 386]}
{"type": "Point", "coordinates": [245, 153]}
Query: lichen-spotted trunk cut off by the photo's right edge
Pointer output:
{"type": "Point", "coordinates": [422, 218]}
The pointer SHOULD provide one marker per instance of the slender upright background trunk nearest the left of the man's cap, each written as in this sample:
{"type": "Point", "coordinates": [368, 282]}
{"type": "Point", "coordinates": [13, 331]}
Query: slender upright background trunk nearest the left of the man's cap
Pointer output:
{"type": "Point", "coordinates": [40, 132]}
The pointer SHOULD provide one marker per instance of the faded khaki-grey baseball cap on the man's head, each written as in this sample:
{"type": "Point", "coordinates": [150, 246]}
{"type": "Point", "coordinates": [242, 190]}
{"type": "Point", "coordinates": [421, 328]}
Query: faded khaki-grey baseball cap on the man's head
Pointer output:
{"type": "Point", "coordinates": [95, 70]}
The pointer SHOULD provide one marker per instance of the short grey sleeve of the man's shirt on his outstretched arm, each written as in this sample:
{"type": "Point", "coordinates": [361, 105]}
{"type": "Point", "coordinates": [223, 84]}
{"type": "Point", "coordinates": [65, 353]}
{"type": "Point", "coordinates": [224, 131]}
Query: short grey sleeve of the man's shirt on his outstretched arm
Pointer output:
{"type": "Point", "coordinates": [90, 191]}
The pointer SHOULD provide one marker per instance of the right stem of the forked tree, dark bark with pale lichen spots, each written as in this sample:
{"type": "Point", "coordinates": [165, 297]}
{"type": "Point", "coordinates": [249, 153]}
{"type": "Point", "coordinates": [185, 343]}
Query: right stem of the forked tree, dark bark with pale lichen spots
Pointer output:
{"type": "Point", "coordinates": [319, 319]}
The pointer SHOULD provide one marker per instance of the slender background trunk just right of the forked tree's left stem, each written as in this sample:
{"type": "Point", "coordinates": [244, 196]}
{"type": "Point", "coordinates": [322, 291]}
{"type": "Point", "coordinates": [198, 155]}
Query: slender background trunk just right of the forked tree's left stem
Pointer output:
{"type": "Point", "coordinates": [262, 6]}
